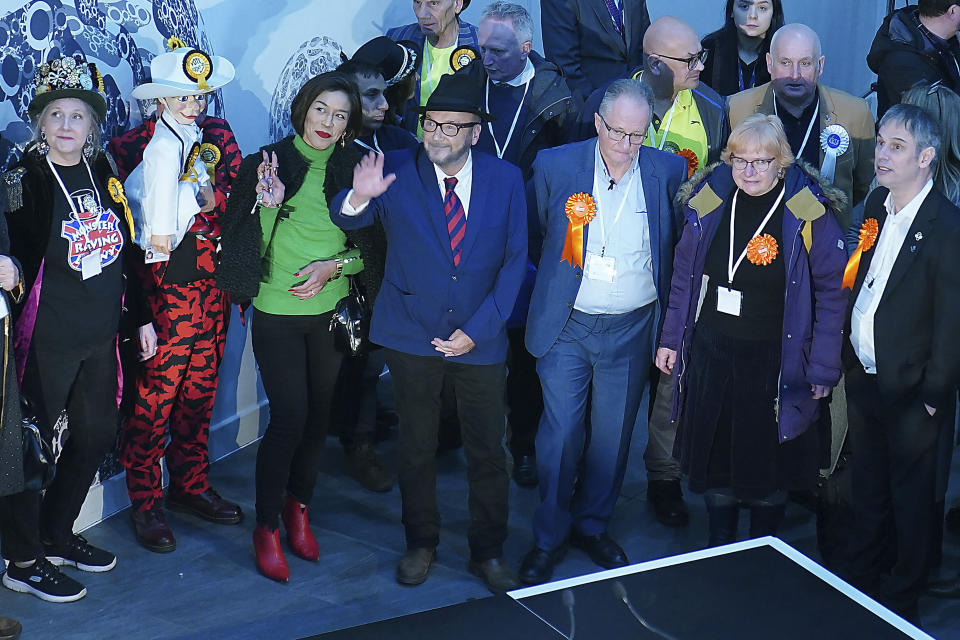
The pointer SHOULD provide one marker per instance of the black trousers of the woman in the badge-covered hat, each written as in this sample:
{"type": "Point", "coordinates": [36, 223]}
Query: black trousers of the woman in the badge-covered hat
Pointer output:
{"type": "Point", "coordinates": [85, 384]}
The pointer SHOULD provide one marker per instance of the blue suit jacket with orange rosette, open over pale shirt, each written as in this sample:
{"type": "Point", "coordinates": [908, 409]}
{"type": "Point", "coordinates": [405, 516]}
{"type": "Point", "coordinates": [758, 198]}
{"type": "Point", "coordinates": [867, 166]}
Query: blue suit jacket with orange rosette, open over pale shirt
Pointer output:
{"type": "Point", "coordinates": [559, 173]}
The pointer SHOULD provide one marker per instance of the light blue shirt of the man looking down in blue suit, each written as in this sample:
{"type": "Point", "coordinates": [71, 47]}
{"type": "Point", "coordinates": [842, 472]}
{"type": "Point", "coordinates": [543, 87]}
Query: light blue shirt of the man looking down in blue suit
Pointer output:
{"type": "Point", "coordinates": [620, 232]}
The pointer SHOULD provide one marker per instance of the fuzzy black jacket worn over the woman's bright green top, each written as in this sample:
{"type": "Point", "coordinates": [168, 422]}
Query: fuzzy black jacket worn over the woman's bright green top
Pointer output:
{"type": "Point", "coordinates": [239, 271]}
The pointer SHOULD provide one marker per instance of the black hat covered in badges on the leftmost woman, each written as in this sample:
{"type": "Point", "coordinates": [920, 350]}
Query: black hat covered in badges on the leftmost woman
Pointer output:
{"type": "Point", "coordinates": [68, 77]}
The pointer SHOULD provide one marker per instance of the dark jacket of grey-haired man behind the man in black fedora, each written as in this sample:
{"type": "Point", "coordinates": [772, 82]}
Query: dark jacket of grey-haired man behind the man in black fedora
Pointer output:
{"type": "Point", "coordinates": [551, 110]}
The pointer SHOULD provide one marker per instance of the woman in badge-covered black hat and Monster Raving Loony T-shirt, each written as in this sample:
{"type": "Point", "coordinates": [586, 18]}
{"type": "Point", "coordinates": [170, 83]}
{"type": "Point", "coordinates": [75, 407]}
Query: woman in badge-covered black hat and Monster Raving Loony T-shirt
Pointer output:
{"type": "Point", "coordinates": [70, 230]}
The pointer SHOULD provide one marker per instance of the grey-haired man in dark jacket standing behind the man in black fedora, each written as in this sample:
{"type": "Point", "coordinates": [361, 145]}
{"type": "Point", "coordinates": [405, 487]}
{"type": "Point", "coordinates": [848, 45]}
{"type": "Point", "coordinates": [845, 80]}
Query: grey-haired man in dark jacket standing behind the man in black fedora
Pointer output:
{"type": "Point", "coordinates": [533, 109]}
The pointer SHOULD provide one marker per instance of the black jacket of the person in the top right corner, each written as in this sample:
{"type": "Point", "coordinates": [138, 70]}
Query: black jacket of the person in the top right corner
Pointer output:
{"type": "Point", "coordinates": [902, 56]}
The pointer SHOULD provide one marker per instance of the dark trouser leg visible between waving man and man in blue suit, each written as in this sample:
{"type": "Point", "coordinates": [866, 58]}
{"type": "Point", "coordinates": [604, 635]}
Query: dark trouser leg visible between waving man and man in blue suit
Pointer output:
{"type": "Point", "coordinates": [524, 397]}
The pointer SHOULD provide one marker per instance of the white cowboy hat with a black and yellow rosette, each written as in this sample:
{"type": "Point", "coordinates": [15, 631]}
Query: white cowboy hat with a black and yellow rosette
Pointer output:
{"type": "Point", "coordinates": [184, 72]}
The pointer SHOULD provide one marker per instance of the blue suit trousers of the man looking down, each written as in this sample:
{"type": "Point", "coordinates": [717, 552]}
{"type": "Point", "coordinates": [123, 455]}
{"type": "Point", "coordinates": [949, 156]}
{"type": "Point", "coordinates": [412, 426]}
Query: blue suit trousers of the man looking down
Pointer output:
{"type": "Point", "coordinates": [607, 357]}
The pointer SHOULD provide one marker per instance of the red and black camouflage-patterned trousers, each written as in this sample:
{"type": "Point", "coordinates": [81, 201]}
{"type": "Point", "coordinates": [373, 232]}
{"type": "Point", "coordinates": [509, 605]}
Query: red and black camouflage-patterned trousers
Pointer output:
{"type": "Point", "coordinates": [178, 385]}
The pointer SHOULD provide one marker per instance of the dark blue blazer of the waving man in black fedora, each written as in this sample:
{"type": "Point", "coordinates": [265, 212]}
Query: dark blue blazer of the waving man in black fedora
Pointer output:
{"type": "Point", "coordinates": [423, 295]}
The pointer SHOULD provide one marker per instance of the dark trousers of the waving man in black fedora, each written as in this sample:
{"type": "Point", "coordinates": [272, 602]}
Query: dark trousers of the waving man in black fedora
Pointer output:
{"type": "Point", "coordinates": [479, 389]}
